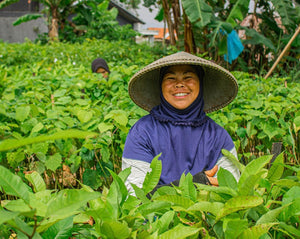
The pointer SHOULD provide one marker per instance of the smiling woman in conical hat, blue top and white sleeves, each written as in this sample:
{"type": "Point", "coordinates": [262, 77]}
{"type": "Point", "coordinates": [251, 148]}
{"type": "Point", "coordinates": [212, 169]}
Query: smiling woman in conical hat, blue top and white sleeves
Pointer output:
{"type": "Point", "coordinates": [178, 91]}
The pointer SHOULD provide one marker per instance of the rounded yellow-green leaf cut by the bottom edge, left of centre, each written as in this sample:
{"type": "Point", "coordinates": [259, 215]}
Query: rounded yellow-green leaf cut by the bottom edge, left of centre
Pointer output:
{"type": "Point", "coordinates": [115, 229]}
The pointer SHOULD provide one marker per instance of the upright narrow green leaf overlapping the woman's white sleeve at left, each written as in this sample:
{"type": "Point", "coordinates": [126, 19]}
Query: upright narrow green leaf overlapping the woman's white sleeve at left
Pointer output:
{"type": "Point", "coordinates": [152, 178]}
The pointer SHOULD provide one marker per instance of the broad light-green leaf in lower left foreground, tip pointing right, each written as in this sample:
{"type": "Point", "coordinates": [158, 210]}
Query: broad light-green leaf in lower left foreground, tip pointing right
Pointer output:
{"type": "Point", "coordinates": [69, 202]}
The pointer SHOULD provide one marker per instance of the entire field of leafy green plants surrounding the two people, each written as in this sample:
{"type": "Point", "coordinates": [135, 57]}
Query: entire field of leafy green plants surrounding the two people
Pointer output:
{"type": "Point", "coordinates": [62, 130]}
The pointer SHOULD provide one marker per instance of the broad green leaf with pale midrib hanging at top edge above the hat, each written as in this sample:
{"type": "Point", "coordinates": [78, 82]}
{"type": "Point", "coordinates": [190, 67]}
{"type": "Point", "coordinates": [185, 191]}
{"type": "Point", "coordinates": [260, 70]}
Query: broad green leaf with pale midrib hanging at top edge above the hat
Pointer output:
{"type": "Point", "coordinates": [198, 12]}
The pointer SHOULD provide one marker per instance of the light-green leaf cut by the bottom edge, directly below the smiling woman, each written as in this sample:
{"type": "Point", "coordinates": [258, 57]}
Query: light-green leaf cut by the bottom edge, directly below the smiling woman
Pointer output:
{"type": "Point", "coordinates": [180, 231]}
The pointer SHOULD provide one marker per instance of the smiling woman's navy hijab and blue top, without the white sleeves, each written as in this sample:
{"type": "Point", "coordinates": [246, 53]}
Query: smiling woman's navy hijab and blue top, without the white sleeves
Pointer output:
{"type": "Point", "coordinates": [188, 140]}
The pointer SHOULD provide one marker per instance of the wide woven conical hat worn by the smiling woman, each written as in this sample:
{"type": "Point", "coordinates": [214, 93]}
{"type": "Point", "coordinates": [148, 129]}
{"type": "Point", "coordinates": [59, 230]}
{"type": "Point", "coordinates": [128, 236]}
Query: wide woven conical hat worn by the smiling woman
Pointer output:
{"type": "Point", "coordinates": [219, 85]}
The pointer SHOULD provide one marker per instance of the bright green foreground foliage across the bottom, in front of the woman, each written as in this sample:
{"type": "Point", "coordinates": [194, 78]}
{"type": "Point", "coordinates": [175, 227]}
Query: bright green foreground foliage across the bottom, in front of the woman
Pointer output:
{"type": "Point", "coordinates": [248, 209]}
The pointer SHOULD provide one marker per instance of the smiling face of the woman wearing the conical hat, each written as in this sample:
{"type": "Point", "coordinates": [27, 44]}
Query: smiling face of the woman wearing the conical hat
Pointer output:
{"type": "Point", "coordinates": [180, 86]}
